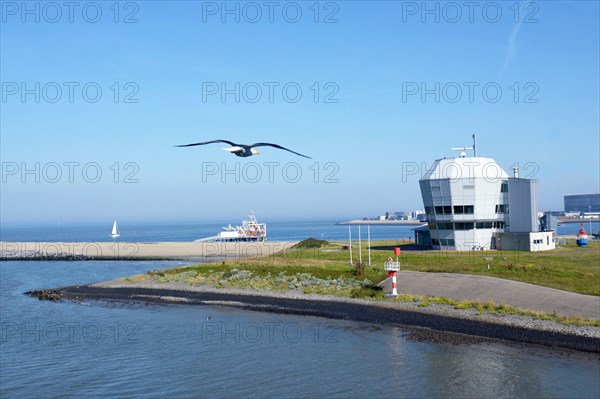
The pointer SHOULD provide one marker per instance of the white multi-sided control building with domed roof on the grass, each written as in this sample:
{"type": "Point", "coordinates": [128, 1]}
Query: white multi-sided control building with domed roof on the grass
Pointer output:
{"type": "Point", "coordinates": [471, 203]}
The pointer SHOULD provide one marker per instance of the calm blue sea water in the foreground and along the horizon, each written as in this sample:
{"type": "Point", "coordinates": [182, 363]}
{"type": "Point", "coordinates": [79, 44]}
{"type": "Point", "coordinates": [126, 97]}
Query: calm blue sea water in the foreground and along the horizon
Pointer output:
{"type": "Point", "coordinates": [115, 350]}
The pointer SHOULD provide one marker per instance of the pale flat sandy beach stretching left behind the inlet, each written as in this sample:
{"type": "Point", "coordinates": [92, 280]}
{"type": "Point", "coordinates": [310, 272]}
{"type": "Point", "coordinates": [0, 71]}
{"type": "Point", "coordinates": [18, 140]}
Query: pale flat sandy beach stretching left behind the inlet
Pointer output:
{"type": "Point", "coordinates": [138, 250]}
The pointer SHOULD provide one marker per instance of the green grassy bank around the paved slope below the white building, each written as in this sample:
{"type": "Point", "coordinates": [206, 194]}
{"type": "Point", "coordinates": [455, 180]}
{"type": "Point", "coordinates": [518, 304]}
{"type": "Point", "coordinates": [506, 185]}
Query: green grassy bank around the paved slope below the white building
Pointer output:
{"type": "Point", "coordinates": [323, 268]}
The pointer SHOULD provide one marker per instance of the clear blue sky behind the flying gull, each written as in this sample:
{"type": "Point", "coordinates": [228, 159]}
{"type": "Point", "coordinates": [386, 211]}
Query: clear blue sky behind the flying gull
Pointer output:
{"type": "Point", "coordinates": [356, 115]}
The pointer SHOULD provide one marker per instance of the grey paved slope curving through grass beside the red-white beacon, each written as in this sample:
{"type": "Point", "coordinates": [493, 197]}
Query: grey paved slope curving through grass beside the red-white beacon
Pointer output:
{"type": "Point", "coordinates": [464, 287]}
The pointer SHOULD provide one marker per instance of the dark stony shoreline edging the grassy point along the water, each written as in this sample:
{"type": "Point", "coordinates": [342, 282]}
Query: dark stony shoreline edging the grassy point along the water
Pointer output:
{"type": "Point", "coordinates": [442, 318]}
